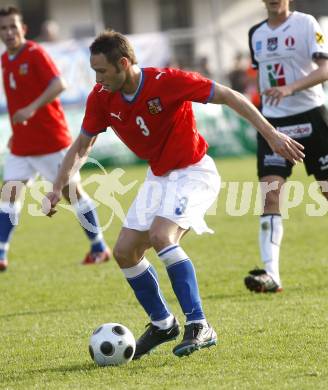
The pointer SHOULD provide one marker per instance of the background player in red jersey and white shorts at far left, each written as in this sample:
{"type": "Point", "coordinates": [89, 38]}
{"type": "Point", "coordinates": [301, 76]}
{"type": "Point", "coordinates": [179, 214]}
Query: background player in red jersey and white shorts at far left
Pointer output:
{"type": "Point", "coordinates": [40, 135]}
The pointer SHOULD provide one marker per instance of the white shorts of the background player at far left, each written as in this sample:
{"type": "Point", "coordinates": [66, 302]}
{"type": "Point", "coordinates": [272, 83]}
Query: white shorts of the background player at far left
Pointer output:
{"type": "Point", "coordinates": [26, 168]}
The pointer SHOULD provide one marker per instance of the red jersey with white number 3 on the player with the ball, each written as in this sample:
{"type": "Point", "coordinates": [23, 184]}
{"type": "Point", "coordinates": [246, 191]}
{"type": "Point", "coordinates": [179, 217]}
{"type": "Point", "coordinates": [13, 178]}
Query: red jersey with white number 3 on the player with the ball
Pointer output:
{"type": "Point", "coordinates": [158, 125]}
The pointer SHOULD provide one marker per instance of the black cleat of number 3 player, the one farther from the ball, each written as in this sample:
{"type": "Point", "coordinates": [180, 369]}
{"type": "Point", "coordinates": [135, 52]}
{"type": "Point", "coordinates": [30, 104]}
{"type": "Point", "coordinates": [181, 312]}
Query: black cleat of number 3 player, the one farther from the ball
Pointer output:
{"type": "Point", "coordinates": [196, 336]}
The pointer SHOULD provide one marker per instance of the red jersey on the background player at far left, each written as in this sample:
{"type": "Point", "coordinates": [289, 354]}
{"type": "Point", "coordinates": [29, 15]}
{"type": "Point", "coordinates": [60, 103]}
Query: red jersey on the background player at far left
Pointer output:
{"type": "Point", "coordinates": [25, 78]}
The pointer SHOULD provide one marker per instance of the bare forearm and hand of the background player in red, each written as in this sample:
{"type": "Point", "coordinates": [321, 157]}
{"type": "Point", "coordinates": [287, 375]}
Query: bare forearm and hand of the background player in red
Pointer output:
{"type": "Point", "coordinates": [56, 86]}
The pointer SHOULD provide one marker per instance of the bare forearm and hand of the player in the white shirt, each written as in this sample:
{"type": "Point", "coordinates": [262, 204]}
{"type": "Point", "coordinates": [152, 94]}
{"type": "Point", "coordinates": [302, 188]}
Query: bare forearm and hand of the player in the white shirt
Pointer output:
{"type": "Point", "coordinates": [274, 95]}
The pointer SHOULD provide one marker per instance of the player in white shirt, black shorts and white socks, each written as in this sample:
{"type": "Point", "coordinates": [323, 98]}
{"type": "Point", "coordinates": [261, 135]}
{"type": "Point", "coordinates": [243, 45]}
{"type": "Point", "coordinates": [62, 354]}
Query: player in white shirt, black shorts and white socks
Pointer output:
{"type": "Point", "coordinates": [291, 55]}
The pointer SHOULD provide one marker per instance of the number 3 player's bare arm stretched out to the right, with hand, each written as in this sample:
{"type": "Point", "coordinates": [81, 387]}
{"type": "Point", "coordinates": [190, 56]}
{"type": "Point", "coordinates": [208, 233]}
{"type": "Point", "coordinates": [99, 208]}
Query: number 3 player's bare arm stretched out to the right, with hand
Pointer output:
{"type": "Point", "coordinates": [280, 143]}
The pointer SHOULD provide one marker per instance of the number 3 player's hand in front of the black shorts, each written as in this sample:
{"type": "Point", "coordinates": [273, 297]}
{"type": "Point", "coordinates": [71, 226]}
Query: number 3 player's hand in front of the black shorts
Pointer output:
{"type": "Point", "coordinates": [286, 147]}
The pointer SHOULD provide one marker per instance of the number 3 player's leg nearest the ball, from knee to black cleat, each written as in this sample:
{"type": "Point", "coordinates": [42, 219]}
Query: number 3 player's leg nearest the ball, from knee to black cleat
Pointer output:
{"type": "Point", "coordinates": [129, 252]}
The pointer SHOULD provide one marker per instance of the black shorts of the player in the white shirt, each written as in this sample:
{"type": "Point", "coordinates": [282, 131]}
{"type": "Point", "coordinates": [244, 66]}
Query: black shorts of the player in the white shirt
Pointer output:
{"type": "Point", "coordinates": [310, 129]}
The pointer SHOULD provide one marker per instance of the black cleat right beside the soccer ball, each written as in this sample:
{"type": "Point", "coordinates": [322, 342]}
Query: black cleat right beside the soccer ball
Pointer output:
{"type": "Point", "coordinates": [155, 336]}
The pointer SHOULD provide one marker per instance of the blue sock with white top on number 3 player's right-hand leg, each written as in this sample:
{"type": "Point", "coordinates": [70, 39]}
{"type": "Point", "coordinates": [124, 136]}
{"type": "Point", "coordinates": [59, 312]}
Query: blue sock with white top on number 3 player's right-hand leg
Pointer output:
{"type": "Point", "coordinates": [184, 282]}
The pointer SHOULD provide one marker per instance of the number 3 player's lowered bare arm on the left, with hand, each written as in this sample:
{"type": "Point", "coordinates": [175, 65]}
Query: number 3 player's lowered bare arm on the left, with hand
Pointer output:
{"type": "Point", "coordinates": [74, 159]}
